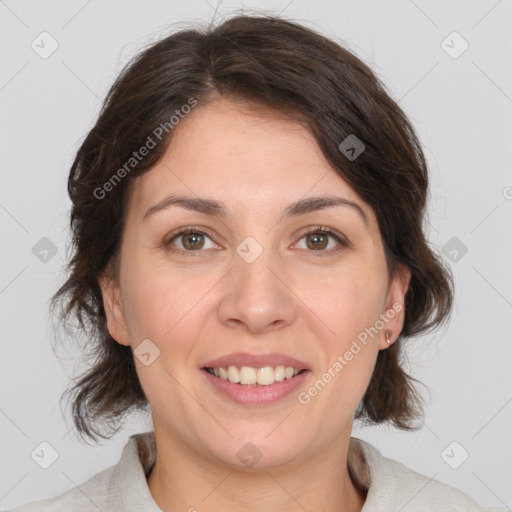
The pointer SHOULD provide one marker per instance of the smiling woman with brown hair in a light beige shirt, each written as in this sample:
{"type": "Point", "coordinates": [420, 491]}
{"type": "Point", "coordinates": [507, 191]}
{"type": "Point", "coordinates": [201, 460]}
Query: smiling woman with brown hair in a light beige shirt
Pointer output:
{"type": "Point", "coordinates": [249, 261]}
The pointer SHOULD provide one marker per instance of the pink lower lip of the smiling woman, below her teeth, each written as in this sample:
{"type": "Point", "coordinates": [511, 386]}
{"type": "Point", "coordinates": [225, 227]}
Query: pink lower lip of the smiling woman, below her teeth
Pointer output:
{"type": "Point", "coordinates": [256, 394]}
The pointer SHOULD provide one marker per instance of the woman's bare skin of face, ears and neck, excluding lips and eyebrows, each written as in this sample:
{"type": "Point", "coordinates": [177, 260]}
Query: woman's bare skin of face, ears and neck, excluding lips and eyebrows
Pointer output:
{"type": "Point", "coordinates": [209, 302]}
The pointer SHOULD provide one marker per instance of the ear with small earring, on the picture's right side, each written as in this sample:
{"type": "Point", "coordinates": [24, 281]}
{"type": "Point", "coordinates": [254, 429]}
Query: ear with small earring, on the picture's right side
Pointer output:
{"type": "Point", "coordinates": [394, 309]}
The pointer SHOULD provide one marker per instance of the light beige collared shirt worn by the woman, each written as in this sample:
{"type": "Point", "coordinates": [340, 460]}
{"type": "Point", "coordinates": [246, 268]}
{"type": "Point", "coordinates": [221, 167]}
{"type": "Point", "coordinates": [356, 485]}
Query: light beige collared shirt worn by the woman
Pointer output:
{"type": "Point", "coordinates": [390, 486]}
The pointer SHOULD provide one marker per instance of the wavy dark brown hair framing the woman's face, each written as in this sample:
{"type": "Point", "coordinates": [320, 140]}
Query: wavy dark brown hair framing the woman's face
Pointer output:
{"type": "Point", "coordinates": [296, 71]}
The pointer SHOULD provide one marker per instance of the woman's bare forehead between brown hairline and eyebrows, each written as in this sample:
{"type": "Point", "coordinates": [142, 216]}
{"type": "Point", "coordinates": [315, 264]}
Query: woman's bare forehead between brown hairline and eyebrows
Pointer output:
{"type": "Point", "coordinates": [252, 160]}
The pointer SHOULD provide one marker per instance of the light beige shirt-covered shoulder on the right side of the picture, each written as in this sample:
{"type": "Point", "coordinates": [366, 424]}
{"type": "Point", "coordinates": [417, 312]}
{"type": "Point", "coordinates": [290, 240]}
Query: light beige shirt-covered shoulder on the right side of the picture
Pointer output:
{"type": "Point", "coordinates": [393, 486]}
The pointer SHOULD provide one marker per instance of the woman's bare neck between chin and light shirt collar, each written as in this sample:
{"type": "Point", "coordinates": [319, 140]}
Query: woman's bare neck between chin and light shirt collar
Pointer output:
{"type": "Point", "coordinates": [182, 479]}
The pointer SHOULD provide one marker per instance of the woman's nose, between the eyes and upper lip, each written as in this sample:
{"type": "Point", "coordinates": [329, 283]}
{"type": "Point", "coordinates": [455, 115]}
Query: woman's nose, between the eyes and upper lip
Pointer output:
{"type": "Point", "coordinates": [257, 297]}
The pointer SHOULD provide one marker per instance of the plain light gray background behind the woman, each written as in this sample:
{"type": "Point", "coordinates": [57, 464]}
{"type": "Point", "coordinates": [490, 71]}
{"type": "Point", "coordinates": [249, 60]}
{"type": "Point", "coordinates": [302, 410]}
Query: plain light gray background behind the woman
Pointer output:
{"type": "Point", "coordinates": [461, 108]}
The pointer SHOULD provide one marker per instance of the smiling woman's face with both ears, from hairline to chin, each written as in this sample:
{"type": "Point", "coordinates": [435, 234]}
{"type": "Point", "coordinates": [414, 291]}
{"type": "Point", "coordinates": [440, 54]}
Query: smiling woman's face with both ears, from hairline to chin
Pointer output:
{"type": "Point", "coordinates": [250, 281]}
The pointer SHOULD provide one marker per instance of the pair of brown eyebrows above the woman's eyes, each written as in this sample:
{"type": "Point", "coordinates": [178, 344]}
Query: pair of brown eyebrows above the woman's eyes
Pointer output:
{"type": "Point", "coordinates": [212, 207]}
